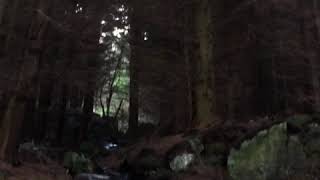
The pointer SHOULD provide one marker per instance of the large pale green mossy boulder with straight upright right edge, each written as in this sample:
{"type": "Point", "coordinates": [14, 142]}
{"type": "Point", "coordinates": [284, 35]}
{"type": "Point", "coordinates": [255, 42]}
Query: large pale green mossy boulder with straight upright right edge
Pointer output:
{"type": "Point", "coordinates": [262, 157]}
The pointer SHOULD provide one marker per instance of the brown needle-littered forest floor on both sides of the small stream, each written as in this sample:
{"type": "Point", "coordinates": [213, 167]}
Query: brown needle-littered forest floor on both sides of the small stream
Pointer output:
{"type": "Point", "coordinates": [151, 156]}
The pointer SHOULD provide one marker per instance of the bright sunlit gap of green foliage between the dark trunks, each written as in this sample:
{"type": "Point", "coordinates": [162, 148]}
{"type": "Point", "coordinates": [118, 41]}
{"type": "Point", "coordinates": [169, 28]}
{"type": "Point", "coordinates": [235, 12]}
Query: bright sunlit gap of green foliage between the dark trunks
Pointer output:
{"type": "Point", "coordinates": [114, 79]}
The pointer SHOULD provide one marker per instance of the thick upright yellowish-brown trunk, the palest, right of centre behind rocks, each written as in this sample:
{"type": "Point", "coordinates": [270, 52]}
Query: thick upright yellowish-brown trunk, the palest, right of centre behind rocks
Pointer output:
{"type": "Point", "coordinates": [204, 73]}
